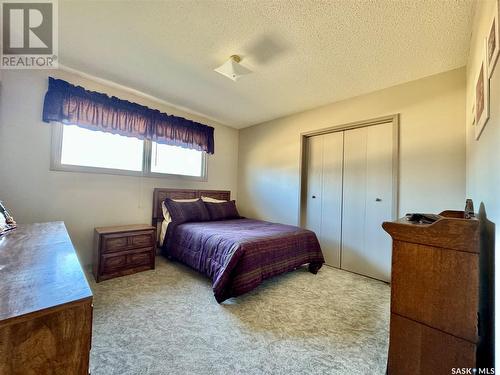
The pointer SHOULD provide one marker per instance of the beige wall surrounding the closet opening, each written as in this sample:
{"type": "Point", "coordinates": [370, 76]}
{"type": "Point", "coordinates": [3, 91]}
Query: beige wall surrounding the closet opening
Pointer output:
{"type": "Point", "coordinates": [432, 148]}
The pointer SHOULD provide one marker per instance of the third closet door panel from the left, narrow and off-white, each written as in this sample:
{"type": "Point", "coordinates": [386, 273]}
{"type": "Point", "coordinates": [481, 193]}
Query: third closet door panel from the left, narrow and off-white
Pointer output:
{"type": "Point", "coordinates": [354, 204]}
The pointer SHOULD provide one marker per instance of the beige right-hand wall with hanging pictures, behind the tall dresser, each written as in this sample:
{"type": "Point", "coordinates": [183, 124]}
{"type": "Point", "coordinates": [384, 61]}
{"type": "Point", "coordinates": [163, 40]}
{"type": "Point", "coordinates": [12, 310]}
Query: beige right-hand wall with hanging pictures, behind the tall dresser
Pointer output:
{"type": "Point", "coordinates": [483, 156]}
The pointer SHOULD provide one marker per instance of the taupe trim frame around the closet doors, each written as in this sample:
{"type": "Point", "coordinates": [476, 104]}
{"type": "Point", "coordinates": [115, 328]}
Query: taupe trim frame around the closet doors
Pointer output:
{"type": "Point", "coordinates": [394, 119]}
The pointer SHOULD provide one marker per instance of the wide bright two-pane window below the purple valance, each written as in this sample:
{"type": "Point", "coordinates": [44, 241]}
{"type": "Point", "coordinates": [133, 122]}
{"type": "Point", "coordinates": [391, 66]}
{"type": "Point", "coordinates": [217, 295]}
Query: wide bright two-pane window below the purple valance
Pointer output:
{"type": "Point", "coordinates": [81, 150]}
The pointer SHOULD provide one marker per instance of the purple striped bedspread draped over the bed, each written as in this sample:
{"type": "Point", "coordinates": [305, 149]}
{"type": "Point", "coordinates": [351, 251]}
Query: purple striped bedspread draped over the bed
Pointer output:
{"type": "Point", "coordinates": [239, 254]}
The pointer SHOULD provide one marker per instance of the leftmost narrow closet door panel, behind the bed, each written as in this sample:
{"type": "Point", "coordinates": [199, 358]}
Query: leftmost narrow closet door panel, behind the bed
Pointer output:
{"type": "Point", "coordinates": [314, 184]}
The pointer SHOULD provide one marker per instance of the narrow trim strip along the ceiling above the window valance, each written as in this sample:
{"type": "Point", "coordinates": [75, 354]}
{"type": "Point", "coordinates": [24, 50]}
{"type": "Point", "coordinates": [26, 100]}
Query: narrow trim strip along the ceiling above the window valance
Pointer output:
{"type": "Point", "coordinates": [135, 92]}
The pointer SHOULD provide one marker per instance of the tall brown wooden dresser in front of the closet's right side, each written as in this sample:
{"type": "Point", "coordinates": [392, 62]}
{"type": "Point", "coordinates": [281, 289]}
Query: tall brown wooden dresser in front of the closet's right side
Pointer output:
{"type": "Point", "coordinates": [435, 289]}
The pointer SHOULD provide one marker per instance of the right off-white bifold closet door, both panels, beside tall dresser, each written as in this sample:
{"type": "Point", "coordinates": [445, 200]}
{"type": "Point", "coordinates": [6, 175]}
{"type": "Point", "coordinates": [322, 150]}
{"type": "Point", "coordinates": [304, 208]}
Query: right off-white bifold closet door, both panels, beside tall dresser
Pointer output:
{"type": "Point", "coordinates": [367, 200]}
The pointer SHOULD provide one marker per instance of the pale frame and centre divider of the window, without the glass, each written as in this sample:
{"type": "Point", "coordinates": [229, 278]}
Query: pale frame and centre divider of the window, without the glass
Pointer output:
{"type": "Point", "coordinates": [56, 165]}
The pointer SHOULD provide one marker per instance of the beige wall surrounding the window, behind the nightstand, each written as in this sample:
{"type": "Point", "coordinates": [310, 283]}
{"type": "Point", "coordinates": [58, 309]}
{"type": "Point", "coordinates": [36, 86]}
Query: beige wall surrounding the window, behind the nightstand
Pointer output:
{"type": "Point", "coordinates": [82, 200]}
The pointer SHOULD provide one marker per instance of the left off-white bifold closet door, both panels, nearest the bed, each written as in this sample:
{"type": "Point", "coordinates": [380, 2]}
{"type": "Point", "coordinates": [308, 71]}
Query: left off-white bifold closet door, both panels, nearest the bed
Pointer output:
{"type": "Point", "coordinates": [324, 192]}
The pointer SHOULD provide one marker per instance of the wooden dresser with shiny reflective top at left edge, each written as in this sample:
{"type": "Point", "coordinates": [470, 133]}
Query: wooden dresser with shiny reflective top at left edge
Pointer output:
{"type": "Point", "coordinates": [45, 303]}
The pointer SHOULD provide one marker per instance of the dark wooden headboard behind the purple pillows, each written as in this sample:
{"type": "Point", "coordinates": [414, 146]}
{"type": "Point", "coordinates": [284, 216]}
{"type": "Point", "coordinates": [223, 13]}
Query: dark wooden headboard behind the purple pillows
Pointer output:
{"type": "Point", "coordinates": [160, 194]}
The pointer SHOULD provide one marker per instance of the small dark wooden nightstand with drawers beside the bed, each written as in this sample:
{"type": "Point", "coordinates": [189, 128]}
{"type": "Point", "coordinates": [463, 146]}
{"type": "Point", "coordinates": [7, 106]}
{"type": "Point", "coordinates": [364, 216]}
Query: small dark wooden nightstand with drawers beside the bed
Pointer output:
{"type": "Point", "coordinates": [123, 250]}
